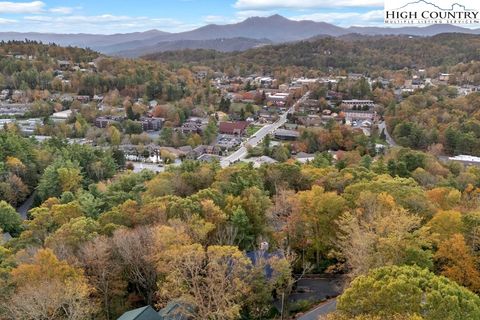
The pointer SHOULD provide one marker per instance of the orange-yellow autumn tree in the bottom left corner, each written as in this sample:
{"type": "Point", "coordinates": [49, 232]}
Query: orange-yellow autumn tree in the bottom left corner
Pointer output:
{"type": "Point", "coordinates": [48, 288]}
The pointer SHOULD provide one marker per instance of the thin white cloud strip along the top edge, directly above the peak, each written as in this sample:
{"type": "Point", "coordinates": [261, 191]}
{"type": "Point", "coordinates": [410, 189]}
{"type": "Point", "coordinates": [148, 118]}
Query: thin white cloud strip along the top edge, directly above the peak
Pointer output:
{"type": "Point", "coordinates": [302, 4]}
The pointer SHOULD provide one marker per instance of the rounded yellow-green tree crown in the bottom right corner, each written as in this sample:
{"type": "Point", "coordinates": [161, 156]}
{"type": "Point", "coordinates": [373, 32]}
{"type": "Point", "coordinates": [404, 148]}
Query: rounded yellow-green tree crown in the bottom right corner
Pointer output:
{"type": "Point", "coordinates": [408, 290]}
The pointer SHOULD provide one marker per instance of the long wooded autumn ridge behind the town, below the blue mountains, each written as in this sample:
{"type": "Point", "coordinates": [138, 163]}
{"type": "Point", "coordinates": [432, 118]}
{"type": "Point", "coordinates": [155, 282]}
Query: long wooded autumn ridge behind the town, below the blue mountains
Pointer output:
{"type": "Point", "coordinates": [354, 53]}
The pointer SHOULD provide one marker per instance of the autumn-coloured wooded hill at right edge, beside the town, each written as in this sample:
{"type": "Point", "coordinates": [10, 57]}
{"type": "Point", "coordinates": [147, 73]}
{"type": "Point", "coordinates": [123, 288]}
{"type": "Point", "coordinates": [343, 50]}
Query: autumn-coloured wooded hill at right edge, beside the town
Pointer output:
{"type": "Point", "coordinates": [437, 119]}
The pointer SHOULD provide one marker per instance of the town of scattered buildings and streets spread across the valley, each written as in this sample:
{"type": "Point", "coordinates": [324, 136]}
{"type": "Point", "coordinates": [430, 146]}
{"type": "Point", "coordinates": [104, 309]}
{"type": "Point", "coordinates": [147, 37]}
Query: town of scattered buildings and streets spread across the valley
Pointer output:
{"type": "Point", "coordinates": [251, 108]}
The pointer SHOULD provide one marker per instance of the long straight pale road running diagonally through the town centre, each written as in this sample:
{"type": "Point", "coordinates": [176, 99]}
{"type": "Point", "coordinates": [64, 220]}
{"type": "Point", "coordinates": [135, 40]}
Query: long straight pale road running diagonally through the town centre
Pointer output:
{"type": "Point", "coordinates": [253, 141]}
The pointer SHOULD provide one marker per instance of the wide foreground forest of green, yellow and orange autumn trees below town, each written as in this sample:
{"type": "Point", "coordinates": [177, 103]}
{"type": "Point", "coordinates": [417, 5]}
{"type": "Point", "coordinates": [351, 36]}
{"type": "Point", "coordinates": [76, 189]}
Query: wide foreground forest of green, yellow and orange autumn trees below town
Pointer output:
{"type": "Point", "coordinates": [103, 241]}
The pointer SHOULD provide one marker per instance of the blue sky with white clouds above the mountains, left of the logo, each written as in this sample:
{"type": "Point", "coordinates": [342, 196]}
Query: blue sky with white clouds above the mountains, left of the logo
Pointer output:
{"type": "Point", "coordinates": [112, 16]}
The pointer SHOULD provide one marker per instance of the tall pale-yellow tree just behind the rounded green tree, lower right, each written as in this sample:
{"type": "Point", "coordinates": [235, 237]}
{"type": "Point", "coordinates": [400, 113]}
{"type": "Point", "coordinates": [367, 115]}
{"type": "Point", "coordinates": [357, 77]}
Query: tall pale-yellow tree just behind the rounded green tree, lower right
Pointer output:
{"type": "Point", "coordinates": [380, 233]}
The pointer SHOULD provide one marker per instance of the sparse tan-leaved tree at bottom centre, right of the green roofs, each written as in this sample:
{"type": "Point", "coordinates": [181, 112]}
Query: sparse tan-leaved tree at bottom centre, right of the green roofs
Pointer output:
{"type": "Point", "coordinates": [215, 279]}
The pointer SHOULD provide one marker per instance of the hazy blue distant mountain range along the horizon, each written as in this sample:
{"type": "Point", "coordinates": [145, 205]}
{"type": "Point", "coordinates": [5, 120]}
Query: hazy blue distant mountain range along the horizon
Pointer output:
{"type": "Point", "coordinates": [250, 33]}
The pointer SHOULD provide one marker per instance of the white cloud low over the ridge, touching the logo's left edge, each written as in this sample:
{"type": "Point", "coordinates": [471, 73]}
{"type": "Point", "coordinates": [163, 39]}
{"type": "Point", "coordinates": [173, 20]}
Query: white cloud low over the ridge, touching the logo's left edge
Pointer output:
{"type": "Point", "coordinates": [374, 17]}
